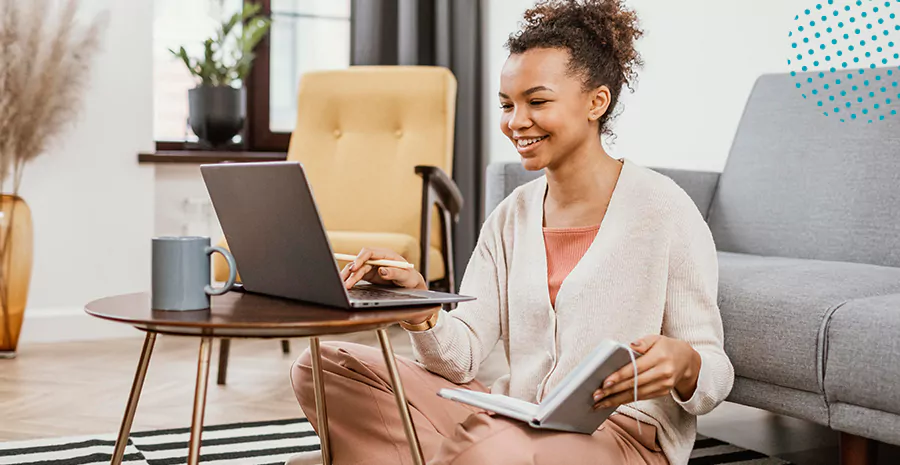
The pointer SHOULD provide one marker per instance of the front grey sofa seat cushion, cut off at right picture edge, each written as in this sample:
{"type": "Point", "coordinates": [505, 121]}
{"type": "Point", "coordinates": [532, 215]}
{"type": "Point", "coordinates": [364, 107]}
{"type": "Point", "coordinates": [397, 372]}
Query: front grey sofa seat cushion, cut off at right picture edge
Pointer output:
{"type": "Point", "coordinates": [862, 354]}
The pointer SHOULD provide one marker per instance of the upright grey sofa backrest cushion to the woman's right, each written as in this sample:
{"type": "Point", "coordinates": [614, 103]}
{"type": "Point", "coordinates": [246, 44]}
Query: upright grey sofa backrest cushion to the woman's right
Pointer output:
{"type": "Point", "coordinates": [799, 184]}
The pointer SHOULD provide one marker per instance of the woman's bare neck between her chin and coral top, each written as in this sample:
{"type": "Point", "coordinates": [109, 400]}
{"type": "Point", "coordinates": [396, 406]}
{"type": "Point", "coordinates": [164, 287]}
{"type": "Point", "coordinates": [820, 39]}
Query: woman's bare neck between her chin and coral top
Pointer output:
{"type": "Point", "coordinates": [585, 176]}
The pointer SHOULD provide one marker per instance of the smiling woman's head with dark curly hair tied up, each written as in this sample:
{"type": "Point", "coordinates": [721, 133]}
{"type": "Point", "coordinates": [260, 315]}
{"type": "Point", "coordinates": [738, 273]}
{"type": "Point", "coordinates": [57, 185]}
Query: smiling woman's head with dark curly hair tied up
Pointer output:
{"type": "Point", "coordinates": [568, 64]}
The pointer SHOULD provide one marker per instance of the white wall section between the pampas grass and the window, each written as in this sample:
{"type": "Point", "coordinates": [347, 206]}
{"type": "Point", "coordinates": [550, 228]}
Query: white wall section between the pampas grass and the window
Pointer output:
{"type": "Point", "coordinates": [91, 202]}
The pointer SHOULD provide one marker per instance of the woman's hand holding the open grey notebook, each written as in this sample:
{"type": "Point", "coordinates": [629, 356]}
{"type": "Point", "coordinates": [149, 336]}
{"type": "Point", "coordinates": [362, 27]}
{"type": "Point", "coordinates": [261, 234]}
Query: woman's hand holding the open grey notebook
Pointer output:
{"type": "Point", "coordinates": [665, 364]}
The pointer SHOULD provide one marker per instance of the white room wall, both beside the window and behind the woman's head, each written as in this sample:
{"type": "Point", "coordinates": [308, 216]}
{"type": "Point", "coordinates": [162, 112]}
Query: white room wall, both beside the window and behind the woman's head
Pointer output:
{"type": "Point", "coordinates": [95, 208]}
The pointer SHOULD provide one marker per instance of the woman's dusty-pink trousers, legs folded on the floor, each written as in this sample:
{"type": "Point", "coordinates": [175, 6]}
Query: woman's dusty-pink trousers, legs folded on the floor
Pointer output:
{"type": "Point", "coordinates": [365, 426]}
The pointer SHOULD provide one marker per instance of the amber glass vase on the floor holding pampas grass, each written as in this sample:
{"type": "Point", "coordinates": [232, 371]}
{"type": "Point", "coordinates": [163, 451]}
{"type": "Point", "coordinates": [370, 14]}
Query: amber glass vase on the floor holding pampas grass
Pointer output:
{"type": "Point", "coordinates": [16, 248]}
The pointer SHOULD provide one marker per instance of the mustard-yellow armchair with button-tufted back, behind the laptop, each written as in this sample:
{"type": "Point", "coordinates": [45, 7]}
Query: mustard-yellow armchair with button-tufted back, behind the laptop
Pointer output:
{"type": "Point", "coordinates": [376, 143]}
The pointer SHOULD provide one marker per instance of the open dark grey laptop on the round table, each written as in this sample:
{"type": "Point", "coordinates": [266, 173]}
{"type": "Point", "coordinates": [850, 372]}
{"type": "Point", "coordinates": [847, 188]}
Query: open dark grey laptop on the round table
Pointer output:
{"type": "Point", "coordinates": [274, 231]}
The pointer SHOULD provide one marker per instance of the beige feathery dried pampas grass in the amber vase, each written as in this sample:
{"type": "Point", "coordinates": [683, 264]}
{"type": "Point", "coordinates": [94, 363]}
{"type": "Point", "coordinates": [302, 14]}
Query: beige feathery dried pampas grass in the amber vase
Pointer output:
{"type": "Point", "coordinates": [45, 58]}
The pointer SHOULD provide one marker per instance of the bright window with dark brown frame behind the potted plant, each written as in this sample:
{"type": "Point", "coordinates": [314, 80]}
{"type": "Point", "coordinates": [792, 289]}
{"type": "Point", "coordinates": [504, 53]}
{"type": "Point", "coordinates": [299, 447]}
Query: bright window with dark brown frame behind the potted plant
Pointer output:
{"type": "Point", "coordinates": [306, 35]}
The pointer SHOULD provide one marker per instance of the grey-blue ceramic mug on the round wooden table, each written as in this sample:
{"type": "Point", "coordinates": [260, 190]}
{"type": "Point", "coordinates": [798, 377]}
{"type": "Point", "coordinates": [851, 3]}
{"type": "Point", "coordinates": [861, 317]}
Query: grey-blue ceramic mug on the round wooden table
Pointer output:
{"type": "Point", "coordinates": [182, 273]}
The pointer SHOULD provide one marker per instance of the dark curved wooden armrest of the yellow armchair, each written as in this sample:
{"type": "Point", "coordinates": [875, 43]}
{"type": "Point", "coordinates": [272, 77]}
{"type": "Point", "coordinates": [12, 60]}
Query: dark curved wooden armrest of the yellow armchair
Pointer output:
{"type": "Point", "coordinates": [438, 189]}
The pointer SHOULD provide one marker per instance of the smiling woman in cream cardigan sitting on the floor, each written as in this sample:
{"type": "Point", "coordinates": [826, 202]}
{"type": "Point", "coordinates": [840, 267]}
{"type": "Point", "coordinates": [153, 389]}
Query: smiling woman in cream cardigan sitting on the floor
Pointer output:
{"type": "Point", "coordinates": [599, 248]}
